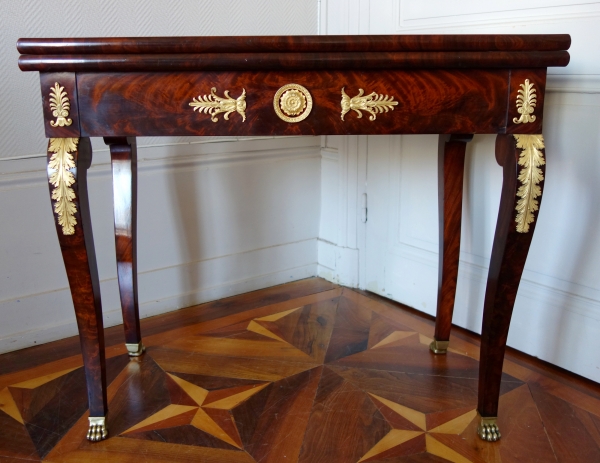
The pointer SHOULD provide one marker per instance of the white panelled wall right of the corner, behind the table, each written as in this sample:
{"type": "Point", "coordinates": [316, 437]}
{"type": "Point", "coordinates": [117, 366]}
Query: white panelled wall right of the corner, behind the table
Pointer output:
{"type": "Point", "coordinates": [557, 312]}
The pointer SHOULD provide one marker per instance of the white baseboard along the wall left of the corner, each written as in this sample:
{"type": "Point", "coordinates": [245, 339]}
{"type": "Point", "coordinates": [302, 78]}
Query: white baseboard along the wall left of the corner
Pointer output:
{"type": "Point", "coordinates": [164, 290]}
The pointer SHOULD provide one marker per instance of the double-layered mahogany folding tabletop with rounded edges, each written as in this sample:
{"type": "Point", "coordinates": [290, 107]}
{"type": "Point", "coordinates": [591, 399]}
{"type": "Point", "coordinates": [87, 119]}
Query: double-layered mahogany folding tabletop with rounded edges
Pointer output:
{"type": "Point", "coordinates": [293, 52]}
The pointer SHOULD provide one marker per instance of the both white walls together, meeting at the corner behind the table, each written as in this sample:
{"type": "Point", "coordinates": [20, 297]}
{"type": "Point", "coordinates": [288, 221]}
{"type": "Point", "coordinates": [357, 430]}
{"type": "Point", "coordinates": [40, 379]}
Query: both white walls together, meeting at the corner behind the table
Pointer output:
{"type": "Point", "coordinates": [220, 217]}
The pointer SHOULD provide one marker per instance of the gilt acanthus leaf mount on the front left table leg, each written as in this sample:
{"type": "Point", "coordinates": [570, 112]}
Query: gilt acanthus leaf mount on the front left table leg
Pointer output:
{"type": "Point", "coordinates": [61, 178]}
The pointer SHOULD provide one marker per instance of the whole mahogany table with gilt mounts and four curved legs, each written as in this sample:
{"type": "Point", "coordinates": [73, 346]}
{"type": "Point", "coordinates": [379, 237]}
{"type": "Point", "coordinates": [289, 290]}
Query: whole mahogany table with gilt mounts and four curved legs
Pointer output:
{"type": "Point", "coordinates": [454, 85]}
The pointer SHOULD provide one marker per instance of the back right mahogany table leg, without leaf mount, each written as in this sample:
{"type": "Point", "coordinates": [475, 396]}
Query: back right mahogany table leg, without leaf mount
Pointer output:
{"type": "Point", "coordinates": [451, 167]}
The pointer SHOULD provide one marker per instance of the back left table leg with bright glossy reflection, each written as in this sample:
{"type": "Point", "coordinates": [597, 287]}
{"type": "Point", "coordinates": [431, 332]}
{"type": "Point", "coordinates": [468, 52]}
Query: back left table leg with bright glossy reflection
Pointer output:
{"type": "Point", "coordinates": [123, 154]}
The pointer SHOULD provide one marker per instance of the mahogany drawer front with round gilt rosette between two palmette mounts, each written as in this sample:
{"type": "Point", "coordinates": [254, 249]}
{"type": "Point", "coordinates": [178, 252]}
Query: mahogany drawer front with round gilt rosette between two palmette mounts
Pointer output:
{"type": "Point", "coordinates": [391, 102]}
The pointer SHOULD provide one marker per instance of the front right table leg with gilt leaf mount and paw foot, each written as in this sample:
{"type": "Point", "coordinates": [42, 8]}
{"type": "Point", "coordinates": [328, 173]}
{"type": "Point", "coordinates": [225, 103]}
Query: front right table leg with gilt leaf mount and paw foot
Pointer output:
{"type": "Point", "coordinates": [522, 159]}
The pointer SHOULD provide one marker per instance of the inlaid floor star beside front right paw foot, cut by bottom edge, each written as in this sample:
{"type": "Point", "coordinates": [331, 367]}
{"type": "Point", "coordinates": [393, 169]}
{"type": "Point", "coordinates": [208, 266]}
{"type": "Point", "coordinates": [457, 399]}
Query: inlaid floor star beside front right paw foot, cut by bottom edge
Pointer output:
{"type": "Point", "coordinates": [390, 444]}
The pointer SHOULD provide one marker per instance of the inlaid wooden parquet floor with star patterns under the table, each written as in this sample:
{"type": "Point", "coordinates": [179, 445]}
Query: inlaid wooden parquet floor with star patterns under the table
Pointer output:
{"type": "Point", "coordinates": [306, 372]}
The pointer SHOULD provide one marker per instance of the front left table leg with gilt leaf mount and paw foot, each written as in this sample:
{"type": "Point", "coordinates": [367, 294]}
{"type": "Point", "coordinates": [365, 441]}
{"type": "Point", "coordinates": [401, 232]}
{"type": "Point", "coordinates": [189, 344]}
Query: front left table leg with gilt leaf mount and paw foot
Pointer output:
{"type": "Point", "coordinates": [68, 161]}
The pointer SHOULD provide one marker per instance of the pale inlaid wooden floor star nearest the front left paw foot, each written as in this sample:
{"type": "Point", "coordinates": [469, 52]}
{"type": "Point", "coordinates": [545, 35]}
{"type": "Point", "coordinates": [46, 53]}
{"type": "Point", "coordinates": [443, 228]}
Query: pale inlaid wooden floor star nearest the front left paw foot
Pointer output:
{"type": "Point", "coordinates": [210, 414]}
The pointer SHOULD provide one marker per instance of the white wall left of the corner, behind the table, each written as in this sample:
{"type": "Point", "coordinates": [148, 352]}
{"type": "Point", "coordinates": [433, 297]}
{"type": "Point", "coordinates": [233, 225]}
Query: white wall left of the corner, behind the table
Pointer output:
{"type": "Point", "coordinates": [216, 217]}
